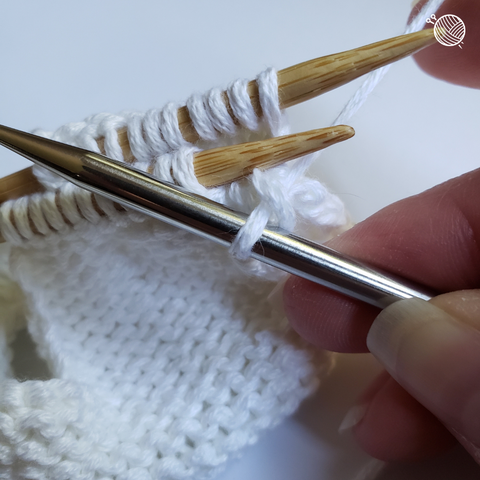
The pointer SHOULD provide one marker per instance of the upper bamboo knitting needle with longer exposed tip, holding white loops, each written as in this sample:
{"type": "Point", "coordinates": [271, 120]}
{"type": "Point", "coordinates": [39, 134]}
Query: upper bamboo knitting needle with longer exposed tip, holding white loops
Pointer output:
{"type": "Point", "coordinates": [296, 84]}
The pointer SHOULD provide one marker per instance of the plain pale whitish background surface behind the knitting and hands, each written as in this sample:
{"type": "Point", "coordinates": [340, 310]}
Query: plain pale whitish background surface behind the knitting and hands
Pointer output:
{"type": "Point", "coordinates": [62, 61]}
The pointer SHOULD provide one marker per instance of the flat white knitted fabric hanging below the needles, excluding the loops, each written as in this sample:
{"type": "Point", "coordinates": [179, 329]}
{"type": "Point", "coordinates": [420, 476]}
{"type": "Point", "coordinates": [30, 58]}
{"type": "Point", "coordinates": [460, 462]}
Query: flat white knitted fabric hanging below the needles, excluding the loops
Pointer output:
{"type": "Point", "coordinates": [165, 358]}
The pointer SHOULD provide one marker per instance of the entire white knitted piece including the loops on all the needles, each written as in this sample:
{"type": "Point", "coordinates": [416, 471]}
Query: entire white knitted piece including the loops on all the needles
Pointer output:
{"type": "Point", "coordinates": [165, 357]}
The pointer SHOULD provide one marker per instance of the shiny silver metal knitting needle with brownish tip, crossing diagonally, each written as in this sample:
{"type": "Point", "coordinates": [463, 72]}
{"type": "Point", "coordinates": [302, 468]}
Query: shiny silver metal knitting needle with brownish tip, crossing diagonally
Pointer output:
{"type": "Point", "coordinates": [196, 214]}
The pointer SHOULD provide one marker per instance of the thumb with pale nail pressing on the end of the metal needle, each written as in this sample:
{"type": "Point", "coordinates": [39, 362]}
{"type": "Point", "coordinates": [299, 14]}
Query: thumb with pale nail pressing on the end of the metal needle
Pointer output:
{"type": "Point", "coordinates": [433, 350]}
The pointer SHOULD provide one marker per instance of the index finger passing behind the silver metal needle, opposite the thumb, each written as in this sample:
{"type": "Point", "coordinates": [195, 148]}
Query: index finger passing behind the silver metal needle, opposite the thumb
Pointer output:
{"type": "Point", "coordinates": [432, 239]}
